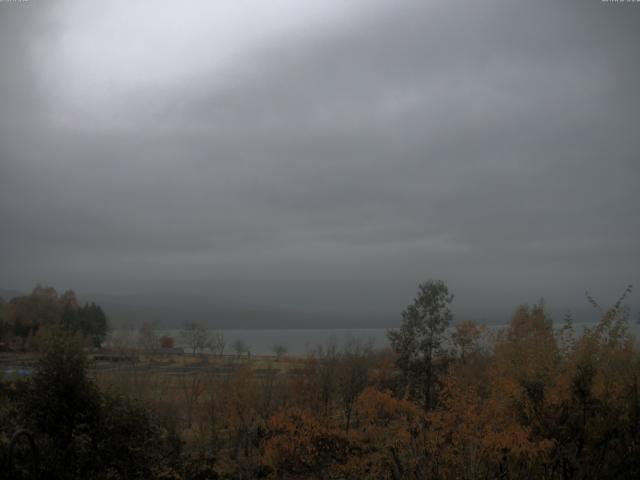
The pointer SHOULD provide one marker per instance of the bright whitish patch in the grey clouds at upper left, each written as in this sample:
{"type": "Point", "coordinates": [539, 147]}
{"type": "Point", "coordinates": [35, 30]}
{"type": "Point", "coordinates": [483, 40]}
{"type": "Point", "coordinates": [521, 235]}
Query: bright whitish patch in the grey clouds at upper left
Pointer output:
{"type": "Point", "coordinates": [103, 56]}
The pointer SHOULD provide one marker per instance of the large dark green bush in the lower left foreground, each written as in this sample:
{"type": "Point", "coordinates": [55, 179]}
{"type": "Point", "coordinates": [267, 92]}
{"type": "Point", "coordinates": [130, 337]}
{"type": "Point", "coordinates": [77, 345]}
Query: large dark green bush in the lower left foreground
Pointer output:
{"type": "Point", "coordinates": [81, 433]}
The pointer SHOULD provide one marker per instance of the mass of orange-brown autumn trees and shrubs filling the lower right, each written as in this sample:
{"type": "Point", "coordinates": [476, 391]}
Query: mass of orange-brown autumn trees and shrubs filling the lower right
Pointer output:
{"type": "Point", "coordinates": [534, 401]}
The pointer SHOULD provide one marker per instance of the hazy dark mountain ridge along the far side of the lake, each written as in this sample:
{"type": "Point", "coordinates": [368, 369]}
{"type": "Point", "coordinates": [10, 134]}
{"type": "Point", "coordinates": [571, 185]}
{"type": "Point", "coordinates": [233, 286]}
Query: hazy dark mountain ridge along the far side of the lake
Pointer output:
{"type": "Point", "coordinates": [172, 309]}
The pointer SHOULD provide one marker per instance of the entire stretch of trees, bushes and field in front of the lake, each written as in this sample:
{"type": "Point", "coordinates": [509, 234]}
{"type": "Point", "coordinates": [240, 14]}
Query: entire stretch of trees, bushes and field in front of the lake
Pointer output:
{"type": "Point", "coordinates": [447, 400]}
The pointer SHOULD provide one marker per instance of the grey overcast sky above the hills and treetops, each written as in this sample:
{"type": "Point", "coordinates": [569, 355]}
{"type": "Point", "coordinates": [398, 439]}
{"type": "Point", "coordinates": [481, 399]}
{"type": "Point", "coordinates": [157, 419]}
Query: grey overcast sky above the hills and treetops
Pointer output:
{"type": "Point", "coordinates": [322, 154]}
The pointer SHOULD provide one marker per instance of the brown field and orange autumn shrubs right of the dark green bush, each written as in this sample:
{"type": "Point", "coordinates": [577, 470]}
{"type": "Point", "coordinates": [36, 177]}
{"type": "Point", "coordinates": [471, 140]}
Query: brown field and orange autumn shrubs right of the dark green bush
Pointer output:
{"type": "Point", "coordinates": [530, 401]}
